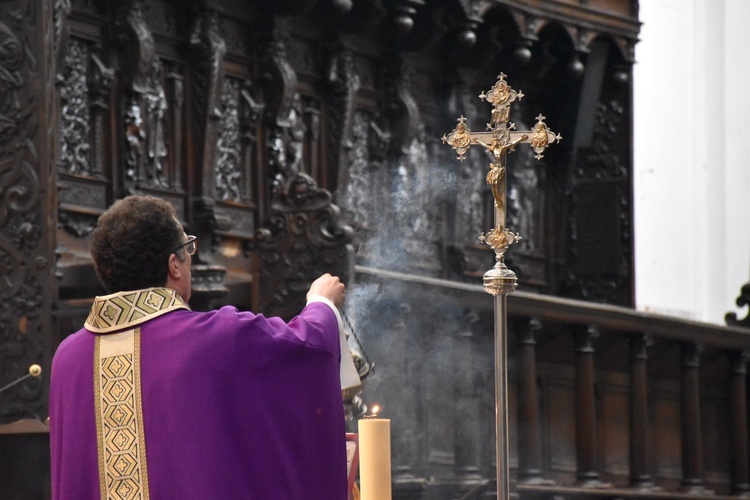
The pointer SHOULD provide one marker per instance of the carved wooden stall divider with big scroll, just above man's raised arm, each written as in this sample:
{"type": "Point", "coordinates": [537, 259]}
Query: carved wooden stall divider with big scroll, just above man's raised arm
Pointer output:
{"type": "Point", "coordinates": [303, 236]}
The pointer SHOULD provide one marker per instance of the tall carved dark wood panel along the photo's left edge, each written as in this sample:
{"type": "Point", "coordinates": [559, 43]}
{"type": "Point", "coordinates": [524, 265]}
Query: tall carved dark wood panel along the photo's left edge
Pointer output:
{"type": "Point", "coordinates": [26, 258]}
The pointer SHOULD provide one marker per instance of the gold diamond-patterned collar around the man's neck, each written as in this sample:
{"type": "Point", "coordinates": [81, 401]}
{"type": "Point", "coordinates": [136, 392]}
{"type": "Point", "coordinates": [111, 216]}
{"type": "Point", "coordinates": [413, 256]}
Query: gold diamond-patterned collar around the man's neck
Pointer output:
{"type": "Point", "coordinates": [111, 313]}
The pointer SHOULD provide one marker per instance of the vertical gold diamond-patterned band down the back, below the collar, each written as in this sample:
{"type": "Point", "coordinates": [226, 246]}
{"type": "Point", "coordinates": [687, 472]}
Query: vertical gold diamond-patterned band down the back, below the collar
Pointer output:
{"type": "Point", "coordinates": [123, 472]}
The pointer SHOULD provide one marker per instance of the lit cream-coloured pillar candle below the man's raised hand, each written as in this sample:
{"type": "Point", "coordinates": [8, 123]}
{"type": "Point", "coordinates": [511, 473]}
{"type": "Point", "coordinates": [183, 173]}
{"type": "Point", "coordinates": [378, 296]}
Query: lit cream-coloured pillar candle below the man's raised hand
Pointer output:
{"type": "Point", "coordinates": [375, 458]}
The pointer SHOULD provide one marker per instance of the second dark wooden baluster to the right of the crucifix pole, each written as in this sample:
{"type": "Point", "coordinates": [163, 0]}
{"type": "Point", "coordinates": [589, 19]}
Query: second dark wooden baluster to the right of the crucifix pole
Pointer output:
{"type": "Point", "coordinates": [586, 425]}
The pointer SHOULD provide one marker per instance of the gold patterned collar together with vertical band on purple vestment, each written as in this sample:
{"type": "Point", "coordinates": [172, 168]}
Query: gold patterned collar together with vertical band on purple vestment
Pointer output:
{"type": "Point", "coordinates": [123, 471]}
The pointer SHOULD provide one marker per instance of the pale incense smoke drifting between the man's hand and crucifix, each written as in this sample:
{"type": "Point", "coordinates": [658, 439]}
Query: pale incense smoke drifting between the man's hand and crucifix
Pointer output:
{"type": "Point", "coordinates": [429, 360]}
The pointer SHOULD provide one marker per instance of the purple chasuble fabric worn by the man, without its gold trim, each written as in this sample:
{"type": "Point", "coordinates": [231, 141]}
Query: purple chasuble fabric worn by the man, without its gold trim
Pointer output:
{"type": "Point", "coordinates": [235, 406]}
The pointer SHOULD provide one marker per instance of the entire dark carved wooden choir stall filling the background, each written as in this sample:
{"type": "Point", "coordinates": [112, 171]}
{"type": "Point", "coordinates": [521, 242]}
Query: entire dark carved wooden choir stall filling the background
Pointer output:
{"type": "Point", "coordinates": [297, 137]}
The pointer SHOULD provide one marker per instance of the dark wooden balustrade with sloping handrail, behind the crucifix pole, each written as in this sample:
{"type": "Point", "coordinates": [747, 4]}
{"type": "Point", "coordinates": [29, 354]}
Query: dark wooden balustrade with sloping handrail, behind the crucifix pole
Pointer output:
{"type": "Point", "coordinates": [604, 401]}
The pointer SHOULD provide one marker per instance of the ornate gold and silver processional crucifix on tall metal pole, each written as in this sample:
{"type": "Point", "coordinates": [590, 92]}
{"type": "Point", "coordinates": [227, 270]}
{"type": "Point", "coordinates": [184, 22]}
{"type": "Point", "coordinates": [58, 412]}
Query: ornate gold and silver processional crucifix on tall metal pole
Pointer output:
{"type": "Point", "coordinates": [500, 138]}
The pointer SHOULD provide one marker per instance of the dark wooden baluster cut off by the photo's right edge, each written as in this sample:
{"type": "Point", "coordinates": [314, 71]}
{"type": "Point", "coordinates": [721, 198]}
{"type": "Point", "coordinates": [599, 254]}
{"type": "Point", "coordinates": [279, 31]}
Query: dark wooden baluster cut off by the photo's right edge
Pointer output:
{"type": "Point", "coordinates": [738, 458]}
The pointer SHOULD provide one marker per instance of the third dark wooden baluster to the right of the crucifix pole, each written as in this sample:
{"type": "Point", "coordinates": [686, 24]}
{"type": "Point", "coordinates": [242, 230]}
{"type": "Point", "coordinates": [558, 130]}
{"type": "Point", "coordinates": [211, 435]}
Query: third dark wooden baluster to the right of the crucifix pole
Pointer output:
{"type": "Point", "coordinates": [639, 439]}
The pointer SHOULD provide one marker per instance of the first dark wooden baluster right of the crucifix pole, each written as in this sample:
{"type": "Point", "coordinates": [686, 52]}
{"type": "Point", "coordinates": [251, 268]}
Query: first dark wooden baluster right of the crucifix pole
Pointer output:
{"type": "Point", "coordinates": [529, 438]}
